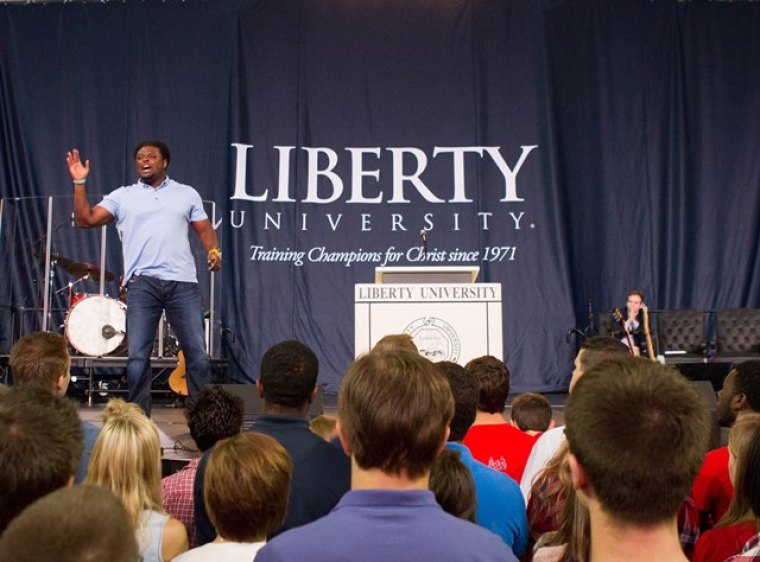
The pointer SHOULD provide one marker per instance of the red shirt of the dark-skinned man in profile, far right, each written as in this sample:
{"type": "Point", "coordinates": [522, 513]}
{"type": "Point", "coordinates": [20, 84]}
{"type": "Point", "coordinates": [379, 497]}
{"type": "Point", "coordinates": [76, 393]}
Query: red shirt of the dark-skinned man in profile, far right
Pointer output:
{"type": "Point", "coordinates": [712, 490]}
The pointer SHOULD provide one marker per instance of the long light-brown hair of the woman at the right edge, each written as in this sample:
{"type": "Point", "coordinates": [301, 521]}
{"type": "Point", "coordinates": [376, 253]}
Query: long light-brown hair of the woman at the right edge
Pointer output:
{"type": "Point", "coordinates": [744, 431]}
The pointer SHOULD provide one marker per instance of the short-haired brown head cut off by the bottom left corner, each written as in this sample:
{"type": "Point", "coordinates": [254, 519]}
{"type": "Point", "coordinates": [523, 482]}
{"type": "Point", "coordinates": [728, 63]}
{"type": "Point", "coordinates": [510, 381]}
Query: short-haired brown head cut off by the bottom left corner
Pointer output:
{"type": "Point", "coordinates": [74, 524]}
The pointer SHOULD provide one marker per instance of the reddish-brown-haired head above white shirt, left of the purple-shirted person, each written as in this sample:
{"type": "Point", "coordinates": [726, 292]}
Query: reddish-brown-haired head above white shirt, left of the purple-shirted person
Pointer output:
{"type": "Point", "coordinates": [246, 487]}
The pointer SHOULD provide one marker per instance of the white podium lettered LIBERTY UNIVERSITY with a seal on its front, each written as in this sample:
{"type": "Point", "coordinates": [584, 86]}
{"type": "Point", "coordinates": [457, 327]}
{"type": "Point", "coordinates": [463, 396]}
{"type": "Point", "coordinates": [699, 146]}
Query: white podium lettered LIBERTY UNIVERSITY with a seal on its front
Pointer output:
{"type": "Point", "coordinates": [449, 321]}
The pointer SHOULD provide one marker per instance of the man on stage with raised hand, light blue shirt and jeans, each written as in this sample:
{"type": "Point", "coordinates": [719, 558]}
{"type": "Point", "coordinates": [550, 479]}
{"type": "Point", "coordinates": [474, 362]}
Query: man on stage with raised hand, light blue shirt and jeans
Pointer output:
{"type": "Point", "coordinates": [152, 217]}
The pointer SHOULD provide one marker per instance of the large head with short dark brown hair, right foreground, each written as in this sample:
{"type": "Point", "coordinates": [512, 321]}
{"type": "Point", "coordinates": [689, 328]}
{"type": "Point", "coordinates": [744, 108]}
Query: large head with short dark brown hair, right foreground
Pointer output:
{"type": "Point", "coordinates": [637, 432]}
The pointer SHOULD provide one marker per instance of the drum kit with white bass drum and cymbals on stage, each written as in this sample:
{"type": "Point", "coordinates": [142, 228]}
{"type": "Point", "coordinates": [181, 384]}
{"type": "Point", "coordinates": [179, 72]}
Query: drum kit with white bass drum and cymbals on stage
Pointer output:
{"type": "Point", "coordinates": [95, 325]}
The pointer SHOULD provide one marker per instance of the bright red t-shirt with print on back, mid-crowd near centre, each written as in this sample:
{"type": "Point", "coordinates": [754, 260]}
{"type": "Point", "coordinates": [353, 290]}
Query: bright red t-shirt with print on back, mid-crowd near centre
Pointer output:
{"type": "Point", "coordinates": [501, 446]}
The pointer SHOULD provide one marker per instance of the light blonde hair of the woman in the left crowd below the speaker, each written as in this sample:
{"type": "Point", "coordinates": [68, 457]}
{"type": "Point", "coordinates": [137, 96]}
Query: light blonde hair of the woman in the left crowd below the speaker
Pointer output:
{"type": "Point", "coordinates": [126, 459]}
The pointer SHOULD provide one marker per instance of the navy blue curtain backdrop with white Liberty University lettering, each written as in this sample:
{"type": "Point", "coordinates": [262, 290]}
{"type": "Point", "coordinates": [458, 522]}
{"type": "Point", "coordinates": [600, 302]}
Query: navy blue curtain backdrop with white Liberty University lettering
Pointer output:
{"type": "Point", "coordinates": [573, 150]}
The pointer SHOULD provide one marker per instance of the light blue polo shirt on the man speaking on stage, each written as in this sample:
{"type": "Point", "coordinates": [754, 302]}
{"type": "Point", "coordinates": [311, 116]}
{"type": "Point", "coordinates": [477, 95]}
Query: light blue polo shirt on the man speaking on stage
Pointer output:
{"type": "Point", "coordinates": [153, 224]}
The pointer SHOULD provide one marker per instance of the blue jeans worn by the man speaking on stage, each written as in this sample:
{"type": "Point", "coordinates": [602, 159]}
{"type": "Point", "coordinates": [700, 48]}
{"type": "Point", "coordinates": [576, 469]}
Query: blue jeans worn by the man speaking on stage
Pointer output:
{"type": "Point", "coordinates": [148, 298]}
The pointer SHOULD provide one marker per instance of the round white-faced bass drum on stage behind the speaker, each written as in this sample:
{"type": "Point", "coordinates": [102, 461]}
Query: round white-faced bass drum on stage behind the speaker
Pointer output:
{"type": "Point", "coordinates": [97, 326]}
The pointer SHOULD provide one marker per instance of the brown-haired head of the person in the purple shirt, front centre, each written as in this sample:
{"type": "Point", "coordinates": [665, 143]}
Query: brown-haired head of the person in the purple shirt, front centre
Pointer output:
{"type": "Point", "coordinates": [394, 411]}
